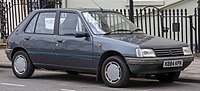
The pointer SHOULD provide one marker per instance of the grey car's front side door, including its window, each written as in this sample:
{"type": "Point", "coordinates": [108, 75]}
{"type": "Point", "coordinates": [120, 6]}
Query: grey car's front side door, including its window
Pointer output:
{"type": "Point", "coordinates": [73, 51]}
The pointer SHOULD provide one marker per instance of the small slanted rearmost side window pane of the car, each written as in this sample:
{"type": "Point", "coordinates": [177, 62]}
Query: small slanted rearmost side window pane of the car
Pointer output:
{"type": "Point", "coordinates": [31, 26]}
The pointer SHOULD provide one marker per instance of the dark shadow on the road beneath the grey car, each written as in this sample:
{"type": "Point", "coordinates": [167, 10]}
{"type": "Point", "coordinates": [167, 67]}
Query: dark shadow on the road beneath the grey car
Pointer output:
{"type": "Point", "coordinates": [91, 80]}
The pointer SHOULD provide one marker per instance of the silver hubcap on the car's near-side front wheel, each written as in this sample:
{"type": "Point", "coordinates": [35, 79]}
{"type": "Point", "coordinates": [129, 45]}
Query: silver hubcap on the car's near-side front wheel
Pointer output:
{"type": "Point", "coordinates": [113, 72]}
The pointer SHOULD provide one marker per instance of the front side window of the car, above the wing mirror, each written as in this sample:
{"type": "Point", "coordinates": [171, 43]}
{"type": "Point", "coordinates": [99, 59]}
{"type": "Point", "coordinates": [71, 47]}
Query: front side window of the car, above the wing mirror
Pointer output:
{"type": "Point", "coordinates": [70, 23]}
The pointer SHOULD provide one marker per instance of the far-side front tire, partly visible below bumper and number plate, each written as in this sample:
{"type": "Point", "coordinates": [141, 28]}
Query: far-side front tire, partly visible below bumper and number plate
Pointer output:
{"type": "Point", "coordinates": [168, 77]}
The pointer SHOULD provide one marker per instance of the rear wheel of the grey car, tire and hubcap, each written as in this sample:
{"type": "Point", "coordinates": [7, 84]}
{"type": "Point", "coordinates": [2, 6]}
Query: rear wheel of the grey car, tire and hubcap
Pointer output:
{"type": "Point", "coordinates": [22, 66]}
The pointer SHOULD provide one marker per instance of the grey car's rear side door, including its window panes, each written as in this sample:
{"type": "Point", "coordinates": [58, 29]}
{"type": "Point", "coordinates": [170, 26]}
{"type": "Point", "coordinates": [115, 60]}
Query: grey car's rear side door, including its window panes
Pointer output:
{"type": "Point", "coordinates": [41, 43]}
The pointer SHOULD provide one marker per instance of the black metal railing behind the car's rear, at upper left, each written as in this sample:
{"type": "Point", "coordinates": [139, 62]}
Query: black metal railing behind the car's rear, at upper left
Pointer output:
{"type": "Point", "coordinates": [15, 12]}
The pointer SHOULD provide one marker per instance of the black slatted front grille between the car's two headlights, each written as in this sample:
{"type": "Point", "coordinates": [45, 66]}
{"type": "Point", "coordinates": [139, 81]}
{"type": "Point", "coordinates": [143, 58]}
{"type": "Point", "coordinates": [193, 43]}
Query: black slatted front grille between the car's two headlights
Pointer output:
{"type": "Point", "coordinates": [169, 52]}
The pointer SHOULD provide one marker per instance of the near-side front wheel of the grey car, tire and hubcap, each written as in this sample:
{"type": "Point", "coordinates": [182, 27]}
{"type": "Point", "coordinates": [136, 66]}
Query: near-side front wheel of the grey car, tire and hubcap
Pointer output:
{"type": "Point", "coordinates": [115, 65]}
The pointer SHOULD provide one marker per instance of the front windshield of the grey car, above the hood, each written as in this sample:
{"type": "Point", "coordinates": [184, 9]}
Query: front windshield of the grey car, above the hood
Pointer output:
{"type": "Point", "coordinates": [102, 22]}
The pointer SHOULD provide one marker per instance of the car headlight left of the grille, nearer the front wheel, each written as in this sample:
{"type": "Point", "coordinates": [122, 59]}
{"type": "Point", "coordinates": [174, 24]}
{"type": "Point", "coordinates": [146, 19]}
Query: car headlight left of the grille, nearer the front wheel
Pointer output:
{"type": "Point", "coordinates": [145, 53]}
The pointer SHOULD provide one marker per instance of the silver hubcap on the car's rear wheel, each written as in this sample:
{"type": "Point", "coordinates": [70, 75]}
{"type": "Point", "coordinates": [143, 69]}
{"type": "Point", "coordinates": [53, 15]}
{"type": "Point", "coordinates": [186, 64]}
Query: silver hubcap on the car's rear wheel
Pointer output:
{"type": "Point", "coordinates": [20, 64]}
